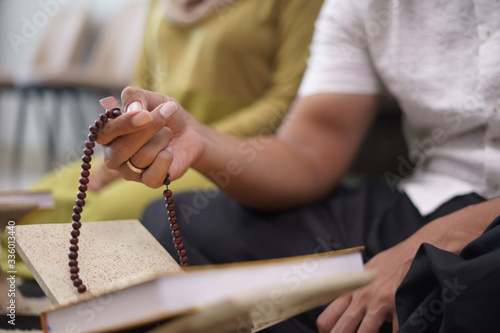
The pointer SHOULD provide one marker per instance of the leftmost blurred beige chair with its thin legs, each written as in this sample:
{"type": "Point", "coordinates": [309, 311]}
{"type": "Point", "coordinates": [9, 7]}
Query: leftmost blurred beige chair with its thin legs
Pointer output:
{"type": "Point", "coordinates": [61, 46]}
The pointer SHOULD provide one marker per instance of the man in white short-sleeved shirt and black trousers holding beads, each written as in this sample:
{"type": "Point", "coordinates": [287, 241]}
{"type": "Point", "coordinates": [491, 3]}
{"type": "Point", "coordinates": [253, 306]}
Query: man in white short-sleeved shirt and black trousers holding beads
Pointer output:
{"type": "Point", "coordinates": [283, 193]}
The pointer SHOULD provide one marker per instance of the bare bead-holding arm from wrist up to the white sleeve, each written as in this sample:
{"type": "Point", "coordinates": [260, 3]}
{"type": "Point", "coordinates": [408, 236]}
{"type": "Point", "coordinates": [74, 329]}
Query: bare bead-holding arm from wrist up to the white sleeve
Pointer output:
{"type": "Point", "coordinates": [299, 165]}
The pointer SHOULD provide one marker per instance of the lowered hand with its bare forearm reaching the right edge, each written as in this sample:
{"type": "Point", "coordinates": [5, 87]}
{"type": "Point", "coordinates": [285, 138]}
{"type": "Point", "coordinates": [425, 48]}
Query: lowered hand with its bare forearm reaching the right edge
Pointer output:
{"type": "Point", "coordinates": [366, 309]}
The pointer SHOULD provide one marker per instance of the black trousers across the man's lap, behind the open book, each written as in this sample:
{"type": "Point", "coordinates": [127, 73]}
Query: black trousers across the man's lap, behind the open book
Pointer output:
{"type": "Point", "coordinates": [217, 229]}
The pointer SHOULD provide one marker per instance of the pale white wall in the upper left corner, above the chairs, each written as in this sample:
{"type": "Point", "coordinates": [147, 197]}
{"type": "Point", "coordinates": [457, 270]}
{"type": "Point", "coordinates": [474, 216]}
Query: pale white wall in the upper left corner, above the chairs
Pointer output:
{"type": "Point", "coordinates": [15, 13]}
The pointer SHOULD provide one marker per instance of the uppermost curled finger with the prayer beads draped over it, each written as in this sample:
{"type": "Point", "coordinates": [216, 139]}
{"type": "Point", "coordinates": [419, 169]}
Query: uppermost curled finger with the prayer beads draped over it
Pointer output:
{"type": "Point", "coordinates": [127, 123]}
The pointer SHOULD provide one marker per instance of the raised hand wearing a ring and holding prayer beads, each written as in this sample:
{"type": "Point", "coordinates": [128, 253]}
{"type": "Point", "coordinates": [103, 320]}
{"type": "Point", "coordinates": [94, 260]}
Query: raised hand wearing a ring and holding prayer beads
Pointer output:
{"type": "Point", "coordinates": [155, 134]}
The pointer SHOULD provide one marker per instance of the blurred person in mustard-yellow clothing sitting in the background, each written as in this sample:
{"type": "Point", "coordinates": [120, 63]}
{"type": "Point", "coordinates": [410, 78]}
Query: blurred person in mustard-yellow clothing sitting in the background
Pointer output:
{"type": "Point", "coordinates": [235, 64]}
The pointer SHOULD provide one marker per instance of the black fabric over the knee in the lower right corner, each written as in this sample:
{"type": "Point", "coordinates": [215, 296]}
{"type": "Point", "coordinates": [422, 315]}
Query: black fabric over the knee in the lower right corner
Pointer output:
{"type": "Point", "coordinates": [444, 292]}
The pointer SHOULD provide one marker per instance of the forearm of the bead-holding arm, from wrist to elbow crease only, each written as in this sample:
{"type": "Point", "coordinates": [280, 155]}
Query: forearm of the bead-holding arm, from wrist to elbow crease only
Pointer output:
{"type": "Point", "coordinates": [262, 172]}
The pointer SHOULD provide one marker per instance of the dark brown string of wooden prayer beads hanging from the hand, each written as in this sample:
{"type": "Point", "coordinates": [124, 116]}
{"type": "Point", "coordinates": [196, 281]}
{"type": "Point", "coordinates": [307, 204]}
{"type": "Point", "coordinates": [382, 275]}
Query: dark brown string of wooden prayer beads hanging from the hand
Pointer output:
{"type": "Point", "coordinates": [80, 202]}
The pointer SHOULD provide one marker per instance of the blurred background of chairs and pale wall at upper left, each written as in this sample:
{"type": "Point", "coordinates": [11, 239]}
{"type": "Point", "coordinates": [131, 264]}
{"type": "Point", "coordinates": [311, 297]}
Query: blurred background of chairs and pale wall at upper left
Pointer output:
{"type": "Point", "coordinates": [57, 59]}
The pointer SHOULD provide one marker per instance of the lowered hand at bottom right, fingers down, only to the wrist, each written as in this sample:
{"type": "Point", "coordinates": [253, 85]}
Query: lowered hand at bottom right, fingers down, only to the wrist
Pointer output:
{"type": "Point", "coordinates": [366, 309]}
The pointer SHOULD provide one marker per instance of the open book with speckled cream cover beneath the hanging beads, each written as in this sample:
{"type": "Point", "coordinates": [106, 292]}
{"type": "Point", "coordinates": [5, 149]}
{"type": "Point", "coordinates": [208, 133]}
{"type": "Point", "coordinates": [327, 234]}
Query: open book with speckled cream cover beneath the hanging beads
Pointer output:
{"type": "Point", "coordinates": [134, 282]}
